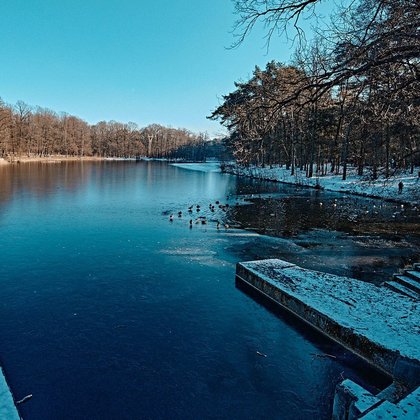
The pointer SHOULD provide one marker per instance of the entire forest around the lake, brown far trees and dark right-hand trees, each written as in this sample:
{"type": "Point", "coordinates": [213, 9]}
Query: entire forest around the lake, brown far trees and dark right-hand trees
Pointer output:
{"type": "Point", "coordinates": [350, 96]}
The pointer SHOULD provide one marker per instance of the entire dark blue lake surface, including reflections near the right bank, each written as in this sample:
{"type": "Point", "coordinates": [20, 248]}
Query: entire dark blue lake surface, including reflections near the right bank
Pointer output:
{"type": "Point", "coordinates": [110, 311]}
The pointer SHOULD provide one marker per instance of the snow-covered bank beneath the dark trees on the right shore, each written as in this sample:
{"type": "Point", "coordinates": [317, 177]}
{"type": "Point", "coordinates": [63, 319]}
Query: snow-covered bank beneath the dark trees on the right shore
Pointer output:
{"type": "Point", "coordinates": [381, 188]}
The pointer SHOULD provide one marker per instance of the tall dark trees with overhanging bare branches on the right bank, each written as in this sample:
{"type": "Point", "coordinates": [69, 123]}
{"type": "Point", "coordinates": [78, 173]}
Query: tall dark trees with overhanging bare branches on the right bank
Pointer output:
{"type": "Point", "coordinates": [349, 97]}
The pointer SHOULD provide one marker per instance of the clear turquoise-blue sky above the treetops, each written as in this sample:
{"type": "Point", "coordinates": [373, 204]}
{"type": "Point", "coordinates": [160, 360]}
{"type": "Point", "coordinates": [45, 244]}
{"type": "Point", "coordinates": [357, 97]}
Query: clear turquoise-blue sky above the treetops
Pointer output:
{"type": "Point", "coordinates": [156, 61]}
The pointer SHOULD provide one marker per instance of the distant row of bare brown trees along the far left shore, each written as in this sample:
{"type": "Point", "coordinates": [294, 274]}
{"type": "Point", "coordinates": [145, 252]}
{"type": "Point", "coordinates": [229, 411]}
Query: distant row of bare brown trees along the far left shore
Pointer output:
{"type": "Point", "coordinates": [35, 131]}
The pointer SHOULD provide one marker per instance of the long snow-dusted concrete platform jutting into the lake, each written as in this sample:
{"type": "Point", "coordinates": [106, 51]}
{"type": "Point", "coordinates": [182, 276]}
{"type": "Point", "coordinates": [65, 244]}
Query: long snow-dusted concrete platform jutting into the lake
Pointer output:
{"type": "Point", "coordinates": [374, 322]}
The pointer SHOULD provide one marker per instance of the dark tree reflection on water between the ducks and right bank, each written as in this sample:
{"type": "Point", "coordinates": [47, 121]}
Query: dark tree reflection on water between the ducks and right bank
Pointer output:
{"type": "Point", "coordinates": [292, 215]}
